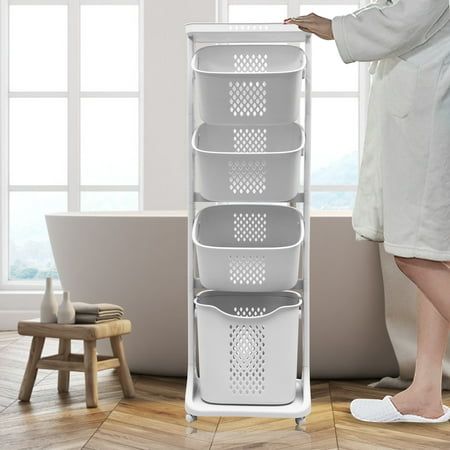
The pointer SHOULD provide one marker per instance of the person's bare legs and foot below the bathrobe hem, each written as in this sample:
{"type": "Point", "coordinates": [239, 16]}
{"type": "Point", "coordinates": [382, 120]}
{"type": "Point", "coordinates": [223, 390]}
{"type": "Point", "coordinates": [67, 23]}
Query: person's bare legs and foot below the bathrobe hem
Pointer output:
{"type": "Point", "coordinates": [424, 397]}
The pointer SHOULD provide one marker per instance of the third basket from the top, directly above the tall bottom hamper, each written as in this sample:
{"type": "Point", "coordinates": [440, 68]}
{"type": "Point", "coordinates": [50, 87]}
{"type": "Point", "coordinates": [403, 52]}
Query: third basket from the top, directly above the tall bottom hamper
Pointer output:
{"type": "Point", "coordinates": [247, 247]}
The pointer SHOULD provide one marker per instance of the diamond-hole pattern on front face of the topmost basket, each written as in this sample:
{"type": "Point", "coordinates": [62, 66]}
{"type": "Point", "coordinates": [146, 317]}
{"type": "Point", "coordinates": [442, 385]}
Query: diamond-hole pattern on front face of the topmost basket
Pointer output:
{"type": "Point", "coordinates": [247, 98]}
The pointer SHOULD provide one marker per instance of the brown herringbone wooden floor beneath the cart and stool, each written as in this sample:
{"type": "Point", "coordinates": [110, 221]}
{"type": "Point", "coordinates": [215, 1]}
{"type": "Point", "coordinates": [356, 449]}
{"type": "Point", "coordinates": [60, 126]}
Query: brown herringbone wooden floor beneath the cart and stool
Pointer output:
{"type": "Point", "coordinates": [155, 419]}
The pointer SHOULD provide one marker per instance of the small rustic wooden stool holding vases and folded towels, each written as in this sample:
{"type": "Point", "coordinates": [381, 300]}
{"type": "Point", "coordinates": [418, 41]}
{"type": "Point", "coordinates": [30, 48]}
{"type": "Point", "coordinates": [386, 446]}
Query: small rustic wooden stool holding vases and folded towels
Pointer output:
{"type": "Point", "coordinates": [65, 361]}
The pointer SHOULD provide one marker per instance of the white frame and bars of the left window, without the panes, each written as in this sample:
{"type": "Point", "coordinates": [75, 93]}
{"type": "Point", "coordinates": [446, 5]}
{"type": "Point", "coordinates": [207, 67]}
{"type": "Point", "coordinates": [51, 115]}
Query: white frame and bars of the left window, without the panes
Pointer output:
{"type": "Point", "coordinates": [73, 96]}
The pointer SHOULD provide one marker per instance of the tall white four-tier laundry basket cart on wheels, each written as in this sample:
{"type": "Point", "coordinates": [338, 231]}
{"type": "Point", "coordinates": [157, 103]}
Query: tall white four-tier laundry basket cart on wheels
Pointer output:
{"type": "Point", "coordinates": [248, 220]}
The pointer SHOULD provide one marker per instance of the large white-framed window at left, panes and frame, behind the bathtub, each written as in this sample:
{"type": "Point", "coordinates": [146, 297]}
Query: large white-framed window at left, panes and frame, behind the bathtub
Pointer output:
{"type": "Point", "coordinates": [71, 120]}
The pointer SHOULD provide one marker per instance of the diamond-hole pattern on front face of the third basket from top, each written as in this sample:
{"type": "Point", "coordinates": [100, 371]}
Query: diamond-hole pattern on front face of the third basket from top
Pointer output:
{"type": "Point", "coordinates": [247, 269]}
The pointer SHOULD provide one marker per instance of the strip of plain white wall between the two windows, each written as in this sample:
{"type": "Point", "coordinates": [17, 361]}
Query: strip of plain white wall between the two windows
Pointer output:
{"type": "Point", "coordinates": [165, 99]}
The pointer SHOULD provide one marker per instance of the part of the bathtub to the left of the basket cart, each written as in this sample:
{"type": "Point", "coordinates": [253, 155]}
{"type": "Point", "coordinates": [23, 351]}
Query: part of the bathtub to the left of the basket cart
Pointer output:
{"type": "Point", "coordinates": [137, 260]}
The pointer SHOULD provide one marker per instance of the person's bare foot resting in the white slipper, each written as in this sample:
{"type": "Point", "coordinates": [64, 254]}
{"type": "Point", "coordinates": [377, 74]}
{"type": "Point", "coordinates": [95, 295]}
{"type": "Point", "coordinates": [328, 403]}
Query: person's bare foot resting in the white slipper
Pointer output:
{"type": "Point", "coordinates": [419, 402]}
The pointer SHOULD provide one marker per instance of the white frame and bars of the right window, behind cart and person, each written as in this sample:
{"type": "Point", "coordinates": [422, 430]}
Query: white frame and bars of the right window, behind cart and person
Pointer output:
{"type": "Point", "coordinates": [293, 8]}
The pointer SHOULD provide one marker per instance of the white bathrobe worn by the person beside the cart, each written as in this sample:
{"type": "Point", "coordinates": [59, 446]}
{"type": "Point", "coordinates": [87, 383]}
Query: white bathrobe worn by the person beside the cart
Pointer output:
{"type": "Point", "coordinates": [403, 196]}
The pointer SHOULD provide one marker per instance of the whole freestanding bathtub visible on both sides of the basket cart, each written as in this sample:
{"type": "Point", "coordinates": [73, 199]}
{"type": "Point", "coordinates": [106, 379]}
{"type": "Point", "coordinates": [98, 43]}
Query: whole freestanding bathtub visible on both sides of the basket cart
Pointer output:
{"type": "Point", "coordinates": [138, 260]}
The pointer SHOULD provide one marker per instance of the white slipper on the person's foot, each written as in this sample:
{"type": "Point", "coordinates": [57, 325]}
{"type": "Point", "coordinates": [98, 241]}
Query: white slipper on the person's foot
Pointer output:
{"type": "Point", "coordinates": [371, 410]}
